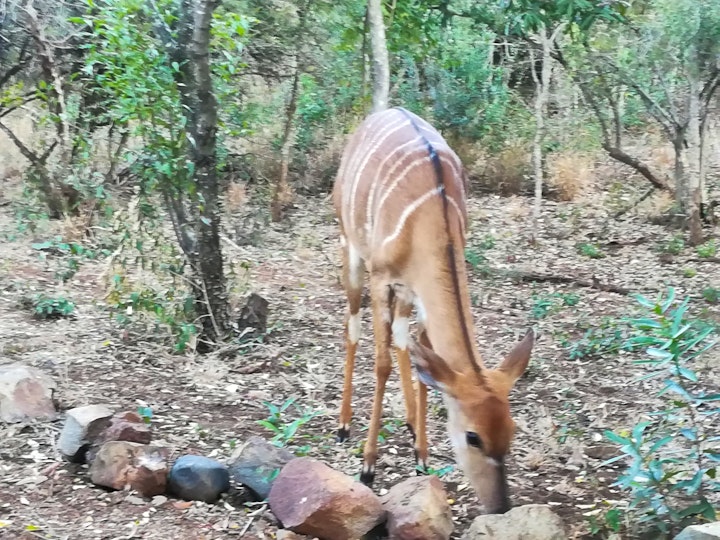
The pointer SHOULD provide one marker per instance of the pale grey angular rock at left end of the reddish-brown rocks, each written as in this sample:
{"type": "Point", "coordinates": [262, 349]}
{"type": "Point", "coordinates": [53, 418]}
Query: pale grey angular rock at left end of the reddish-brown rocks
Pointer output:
{"type": "Point", "coordinates": [82, 427]}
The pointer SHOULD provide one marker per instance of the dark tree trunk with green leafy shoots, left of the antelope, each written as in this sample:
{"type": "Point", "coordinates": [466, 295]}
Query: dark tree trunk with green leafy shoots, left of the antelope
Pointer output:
{"type": "Point", "coordinates": [207, 259]}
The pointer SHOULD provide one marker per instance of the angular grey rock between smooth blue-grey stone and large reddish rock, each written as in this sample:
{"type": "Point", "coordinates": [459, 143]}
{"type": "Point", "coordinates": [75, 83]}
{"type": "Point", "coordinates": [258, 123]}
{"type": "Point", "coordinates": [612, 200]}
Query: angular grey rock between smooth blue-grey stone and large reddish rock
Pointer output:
{"type": "Point", "coordinates": [256, 463]}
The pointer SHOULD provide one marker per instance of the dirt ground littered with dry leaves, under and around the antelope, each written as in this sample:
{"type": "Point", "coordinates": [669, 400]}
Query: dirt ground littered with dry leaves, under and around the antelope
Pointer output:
{"type": "Point", "coordinates": [208, 404]}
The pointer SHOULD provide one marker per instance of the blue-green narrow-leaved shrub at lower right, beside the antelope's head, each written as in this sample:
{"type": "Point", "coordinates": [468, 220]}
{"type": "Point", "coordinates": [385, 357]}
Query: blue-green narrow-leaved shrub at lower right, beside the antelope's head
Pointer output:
{"type": "Point", "coordinates": [673, 454]}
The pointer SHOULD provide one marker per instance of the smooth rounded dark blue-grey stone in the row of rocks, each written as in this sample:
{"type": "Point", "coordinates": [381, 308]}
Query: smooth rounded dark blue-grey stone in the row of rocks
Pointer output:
{"type": "Point", "coordinates": [197, 478]}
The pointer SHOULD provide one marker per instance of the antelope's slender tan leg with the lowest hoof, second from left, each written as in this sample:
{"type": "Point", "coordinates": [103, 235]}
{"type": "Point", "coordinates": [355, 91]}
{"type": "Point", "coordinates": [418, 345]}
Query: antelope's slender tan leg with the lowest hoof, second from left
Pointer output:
{"type": "Point", "coordinates": [381, 295]}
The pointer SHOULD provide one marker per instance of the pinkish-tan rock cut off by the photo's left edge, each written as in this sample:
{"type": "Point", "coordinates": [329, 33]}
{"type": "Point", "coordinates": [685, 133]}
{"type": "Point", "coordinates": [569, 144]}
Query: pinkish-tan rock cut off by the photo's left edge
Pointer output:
{"type": "Point", "coordinates": [25, 394]}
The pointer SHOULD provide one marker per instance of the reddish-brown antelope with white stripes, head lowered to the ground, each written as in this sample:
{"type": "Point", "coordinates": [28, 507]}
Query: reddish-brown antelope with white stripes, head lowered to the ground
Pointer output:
{"type": "Point", "coordinates": [400, 199]}
